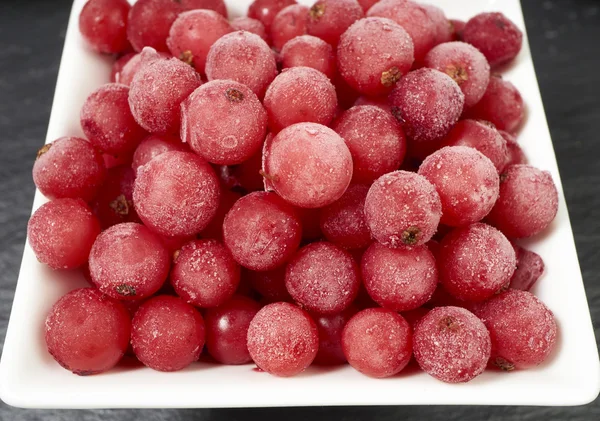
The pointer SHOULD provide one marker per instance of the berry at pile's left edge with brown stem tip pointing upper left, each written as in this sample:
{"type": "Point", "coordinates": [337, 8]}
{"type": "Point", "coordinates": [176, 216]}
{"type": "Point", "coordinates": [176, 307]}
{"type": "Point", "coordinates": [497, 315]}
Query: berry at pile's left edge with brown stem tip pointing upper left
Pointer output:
{"type": "Point", "coordinates": [69, 167]}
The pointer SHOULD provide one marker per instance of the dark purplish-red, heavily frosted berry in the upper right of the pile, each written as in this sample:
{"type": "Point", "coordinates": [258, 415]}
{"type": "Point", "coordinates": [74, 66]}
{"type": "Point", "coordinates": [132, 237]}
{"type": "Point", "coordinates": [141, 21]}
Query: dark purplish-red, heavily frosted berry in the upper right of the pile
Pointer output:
{"type": "Point", "coordinates": [427, 103]}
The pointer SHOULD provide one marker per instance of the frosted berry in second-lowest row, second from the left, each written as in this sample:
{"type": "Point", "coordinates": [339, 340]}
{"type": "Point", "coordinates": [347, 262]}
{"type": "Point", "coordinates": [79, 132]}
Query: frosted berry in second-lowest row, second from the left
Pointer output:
{"type": "Point", "coordinates": [204, 273]}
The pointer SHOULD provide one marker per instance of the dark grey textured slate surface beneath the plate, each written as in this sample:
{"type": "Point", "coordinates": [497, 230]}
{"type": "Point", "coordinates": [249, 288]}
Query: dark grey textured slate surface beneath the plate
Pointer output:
{"type": "Point", "coordinates": [564, 37]}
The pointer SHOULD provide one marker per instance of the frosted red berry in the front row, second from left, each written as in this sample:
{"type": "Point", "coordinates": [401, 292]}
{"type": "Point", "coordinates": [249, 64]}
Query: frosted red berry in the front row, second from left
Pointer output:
{"type": "Point", "coordinates": [167, 334]}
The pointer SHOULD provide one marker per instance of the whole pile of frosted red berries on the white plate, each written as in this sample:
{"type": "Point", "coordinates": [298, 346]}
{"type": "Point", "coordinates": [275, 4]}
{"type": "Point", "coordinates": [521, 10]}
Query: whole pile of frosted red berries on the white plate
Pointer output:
{"type": "Point", "coordinates": [339, 183]}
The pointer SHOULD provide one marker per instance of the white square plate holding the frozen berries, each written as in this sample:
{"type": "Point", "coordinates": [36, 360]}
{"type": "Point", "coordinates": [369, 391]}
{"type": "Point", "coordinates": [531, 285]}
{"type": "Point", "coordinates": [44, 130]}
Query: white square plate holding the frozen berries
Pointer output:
{"type": "Point", "coordinates": [29, 377]}
